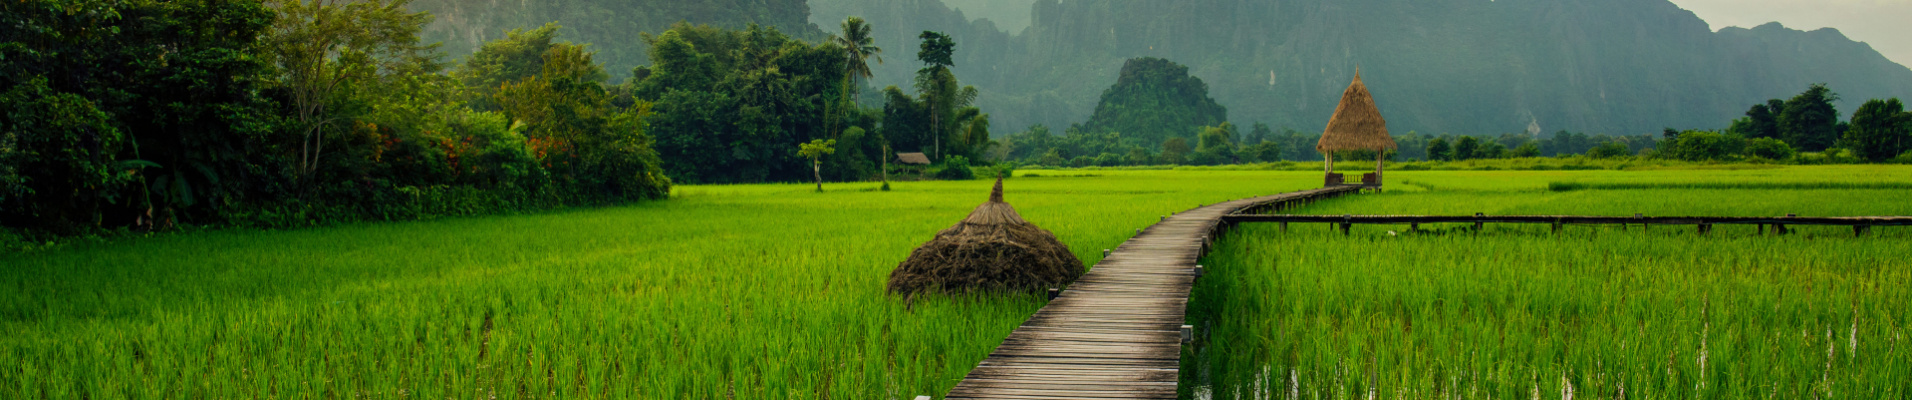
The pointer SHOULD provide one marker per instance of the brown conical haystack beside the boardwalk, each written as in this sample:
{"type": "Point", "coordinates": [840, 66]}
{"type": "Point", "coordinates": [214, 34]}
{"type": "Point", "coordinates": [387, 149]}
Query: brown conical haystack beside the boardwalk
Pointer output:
{"type": "Point", "coordinates": [995, 250]}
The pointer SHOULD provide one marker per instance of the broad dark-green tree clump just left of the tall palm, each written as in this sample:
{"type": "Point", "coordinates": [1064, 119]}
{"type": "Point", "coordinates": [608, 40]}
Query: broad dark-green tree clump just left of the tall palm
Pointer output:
{"type": "Point", "coordinates": [731, 104]}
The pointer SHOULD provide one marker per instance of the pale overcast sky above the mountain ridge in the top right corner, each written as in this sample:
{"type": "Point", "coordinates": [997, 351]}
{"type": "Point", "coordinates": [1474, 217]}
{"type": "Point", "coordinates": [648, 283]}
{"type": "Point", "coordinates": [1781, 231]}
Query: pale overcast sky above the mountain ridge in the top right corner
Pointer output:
{"type": "Point", "coordinates": [1882, 24]}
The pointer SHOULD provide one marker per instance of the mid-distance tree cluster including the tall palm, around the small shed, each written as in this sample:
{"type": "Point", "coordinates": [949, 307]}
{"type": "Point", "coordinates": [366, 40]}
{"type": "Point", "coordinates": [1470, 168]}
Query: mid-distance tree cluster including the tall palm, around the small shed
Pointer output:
{"type": "Point", "coordinates": [733, 106]}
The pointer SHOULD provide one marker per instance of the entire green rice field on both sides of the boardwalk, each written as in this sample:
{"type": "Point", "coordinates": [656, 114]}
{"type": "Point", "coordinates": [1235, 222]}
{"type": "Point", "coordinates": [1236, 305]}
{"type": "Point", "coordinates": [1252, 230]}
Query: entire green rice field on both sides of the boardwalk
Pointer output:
{"type": "Point", "coordinates": [777, 292]}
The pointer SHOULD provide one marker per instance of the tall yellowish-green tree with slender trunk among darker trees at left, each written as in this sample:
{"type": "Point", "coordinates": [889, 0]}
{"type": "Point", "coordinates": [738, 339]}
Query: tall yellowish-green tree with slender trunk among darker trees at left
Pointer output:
{"type": "Point", "coordinates": [324, 47]}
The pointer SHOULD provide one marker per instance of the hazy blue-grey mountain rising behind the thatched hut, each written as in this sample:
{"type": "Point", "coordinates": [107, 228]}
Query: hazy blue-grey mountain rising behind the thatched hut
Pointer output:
{"type": "Point", "coordinates": [1435, 66]}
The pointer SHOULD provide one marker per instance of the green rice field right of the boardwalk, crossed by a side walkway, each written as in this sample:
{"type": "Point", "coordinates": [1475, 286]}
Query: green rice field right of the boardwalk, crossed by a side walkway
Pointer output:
{"type": "Point", "coordinates": [1592, 313]}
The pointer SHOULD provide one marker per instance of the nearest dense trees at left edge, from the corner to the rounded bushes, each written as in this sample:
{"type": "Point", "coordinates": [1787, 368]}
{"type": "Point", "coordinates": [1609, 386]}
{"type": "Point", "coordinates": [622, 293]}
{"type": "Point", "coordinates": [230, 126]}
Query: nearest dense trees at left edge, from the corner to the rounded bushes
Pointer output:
{"type": "Point", "coordinates": [146, 116]}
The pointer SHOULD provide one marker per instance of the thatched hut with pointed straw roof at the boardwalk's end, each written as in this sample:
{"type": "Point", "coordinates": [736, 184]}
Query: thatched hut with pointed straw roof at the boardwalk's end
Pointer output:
{"type": "Point", "coordinates": [1357, 125]}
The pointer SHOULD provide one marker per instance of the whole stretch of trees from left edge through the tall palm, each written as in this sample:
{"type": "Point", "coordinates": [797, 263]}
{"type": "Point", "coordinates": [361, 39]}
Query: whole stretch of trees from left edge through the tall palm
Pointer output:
{"type": "Point", "coordinates": [150, 116]}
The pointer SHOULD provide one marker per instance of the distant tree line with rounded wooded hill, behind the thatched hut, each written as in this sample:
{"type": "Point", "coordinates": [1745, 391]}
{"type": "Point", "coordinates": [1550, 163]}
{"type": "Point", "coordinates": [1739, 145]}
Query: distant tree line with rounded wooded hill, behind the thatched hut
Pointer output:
{"type": "Point", "coordinates": [1165, 104]}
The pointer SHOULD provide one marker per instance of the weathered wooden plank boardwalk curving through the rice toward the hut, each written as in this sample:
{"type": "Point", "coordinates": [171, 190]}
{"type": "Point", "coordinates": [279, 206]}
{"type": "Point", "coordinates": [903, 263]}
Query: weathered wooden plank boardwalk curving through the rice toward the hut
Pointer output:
{"type": "Point", "coordinates": [1118, 332]}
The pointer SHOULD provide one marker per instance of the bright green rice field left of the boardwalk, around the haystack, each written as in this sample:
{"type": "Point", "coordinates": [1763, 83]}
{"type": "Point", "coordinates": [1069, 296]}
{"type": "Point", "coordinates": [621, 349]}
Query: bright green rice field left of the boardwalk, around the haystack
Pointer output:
{"type": "Point", "coordinates": [722, 292]}
